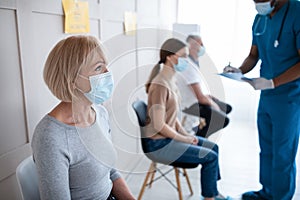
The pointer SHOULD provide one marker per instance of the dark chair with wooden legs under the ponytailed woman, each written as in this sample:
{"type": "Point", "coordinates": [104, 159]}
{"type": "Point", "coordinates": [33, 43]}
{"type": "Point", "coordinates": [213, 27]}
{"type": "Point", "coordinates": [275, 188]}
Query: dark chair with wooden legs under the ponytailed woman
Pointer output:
{"type": "Point", "coordinates": [140, 109]}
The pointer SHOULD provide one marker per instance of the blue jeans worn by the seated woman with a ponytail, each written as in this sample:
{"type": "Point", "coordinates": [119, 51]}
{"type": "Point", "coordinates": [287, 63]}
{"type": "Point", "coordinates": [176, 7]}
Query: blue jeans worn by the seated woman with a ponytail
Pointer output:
{"type": "Point", "coordinates": [205, 153]}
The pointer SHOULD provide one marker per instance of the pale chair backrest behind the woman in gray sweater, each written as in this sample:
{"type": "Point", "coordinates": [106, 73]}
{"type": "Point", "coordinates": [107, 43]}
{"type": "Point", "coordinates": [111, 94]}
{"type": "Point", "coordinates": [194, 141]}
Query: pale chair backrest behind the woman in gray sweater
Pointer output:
{"type": "Point", "coordinates": [27, 178]}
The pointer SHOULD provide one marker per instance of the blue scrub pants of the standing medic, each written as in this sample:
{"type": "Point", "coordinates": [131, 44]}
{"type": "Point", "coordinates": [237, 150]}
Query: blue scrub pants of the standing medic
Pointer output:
{"type": "Point", "coordinates": [279, 128]}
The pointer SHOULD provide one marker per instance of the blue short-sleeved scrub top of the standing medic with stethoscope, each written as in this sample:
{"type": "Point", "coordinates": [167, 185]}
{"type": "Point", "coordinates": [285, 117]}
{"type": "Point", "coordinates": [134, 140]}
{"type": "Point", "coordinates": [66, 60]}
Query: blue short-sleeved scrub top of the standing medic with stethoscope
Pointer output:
{"type": "Point", "coordinates": [275, 61]}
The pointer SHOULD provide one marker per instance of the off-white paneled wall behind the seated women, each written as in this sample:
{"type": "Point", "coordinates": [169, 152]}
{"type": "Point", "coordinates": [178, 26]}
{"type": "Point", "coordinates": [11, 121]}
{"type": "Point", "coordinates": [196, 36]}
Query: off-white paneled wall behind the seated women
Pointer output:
{"type": "Point", "coordinates": [29, 29]}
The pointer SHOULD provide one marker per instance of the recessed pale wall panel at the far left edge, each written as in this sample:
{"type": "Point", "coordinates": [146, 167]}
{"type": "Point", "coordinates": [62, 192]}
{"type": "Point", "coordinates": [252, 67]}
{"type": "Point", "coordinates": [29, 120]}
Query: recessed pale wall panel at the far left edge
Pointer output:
{"type": "Point", "coordinates": [12, 119]}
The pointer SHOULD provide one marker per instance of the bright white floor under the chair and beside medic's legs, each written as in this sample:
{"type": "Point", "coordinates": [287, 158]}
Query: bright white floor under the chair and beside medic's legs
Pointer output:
{"type": "Point", "coordinates": [239, 150]}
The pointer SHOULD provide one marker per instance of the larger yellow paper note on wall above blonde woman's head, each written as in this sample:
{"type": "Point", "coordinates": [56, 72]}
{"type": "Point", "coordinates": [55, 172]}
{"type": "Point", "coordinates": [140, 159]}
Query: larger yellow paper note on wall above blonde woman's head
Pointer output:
{"type": "Point", "coordinates": [76, 16]}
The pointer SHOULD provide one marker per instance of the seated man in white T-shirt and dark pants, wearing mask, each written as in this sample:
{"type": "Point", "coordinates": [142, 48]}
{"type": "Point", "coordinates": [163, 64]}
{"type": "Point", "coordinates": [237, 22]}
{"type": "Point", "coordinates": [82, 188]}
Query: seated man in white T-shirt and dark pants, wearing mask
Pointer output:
{"type": "Point", "coordinates": [194, 102]}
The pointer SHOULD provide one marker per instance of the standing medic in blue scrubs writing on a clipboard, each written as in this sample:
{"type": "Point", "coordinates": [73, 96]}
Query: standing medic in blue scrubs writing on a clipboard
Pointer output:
{"type": "Point", "coordinates": [276, 42]}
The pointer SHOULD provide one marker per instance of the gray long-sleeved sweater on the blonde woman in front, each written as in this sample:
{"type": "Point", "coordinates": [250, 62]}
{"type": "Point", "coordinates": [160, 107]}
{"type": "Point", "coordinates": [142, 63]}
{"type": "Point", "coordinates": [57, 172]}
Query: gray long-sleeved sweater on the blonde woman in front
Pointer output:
{"type": "Point", "coordinates": [72, 162]}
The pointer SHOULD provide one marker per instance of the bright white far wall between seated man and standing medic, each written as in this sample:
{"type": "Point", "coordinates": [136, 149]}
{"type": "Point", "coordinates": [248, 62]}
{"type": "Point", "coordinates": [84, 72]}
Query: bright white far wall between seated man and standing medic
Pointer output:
{"type": "Point", "coordinates": [225, 27]}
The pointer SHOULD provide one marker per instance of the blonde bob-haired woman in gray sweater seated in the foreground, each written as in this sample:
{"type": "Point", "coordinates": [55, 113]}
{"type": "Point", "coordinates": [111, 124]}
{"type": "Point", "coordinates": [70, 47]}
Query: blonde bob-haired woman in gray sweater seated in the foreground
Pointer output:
{"type": "Point", "coordinates": [72, 145]}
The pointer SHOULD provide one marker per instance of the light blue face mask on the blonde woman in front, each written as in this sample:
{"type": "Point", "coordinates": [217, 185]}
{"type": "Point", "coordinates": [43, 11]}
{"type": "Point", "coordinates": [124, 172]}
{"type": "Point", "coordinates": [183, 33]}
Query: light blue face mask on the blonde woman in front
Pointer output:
{"type": "Point", "coordinates": [101, 87]}
